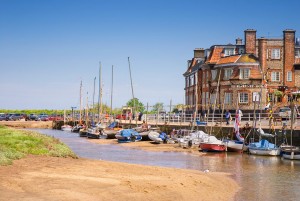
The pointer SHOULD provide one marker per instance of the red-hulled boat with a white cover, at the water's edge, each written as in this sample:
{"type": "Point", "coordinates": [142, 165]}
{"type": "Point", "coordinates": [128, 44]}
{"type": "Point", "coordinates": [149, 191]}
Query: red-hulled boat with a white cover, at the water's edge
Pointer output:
{"type": "Point", "coordinates": [212, 144]}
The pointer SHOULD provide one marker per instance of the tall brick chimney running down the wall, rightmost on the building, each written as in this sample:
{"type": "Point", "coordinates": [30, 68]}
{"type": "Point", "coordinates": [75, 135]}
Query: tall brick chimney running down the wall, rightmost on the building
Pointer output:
{"type": "Point", "coordinates": [288, 55]}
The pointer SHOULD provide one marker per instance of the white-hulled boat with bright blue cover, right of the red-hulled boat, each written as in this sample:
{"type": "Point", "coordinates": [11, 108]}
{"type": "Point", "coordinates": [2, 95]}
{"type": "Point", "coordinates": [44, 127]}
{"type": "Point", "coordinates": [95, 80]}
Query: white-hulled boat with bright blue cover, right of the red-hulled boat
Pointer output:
{"type": "Point", "coordinates": [264, 148]}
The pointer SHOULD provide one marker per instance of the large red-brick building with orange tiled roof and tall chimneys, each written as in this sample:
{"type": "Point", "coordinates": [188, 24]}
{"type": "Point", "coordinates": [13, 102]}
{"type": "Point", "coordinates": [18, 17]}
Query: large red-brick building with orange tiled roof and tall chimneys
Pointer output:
{"type": "Point", "coordinates": [244, 76]}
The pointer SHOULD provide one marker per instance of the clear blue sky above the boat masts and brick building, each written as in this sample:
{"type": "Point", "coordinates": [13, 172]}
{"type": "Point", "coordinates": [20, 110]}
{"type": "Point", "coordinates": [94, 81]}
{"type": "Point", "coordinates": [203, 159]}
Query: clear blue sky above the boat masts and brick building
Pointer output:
{"type": "Point", "coordinates": [48, 46]}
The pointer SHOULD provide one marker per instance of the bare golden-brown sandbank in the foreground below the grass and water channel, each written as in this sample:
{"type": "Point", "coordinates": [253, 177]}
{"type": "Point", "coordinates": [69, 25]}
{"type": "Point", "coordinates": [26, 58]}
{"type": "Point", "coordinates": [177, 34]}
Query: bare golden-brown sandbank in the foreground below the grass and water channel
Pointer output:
{"type": "Point", "coordinates": [51, 178]}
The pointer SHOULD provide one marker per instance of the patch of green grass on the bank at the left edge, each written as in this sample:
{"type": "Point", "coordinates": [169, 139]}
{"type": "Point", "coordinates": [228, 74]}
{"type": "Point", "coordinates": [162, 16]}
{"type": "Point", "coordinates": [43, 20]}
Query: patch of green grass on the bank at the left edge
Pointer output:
{"type": "Point", "coordinates": [16, 144]}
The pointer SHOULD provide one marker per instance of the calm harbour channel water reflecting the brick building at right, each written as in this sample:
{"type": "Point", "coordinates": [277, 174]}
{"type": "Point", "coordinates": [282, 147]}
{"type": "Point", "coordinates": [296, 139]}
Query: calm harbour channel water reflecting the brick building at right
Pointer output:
{"type": "Point", "coordinates": [260, 178]}
